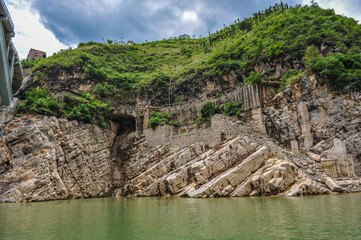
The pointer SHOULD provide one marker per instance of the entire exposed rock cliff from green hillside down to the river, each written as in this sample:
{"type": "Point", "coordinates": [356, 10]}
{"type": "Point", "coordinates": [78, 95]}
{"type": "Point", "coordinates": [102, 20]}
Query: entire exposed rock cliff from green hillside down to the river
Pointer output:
{"type": "Point", "coordinates": [305, 140]}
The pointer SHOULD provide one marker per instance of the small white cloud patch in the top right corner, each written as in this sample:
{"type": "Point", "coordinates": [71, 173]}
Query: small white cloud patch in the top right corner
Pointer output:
{"type": "Point", "coordinates": [349, 8]}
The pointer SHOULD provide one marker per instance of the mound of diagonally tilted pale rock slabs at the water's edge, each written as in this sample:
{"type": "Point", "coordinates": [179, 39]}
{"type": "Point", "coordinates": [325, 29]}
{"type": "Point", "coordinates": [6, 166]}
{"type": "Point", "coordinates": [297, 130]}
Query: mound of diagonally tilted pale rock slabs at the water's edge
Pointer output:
{"type": "Point", "coordinates": [247, 165]}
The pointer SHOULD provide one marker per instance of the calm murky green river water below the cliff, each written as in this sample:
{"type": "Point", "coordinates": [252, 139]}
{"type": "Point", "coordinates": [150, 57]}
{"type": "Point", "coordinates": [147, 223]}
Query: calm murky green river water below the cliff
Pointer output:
{"type": "Point", "coordinates": [315, 217]}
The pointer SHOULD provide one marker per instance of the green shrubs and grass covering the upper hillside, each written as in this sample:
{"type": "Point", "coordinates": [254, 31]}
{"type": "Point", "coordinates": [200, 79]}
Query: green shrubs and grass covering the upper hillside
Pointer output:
{"type": "Point", "coordinates": [316, 39]}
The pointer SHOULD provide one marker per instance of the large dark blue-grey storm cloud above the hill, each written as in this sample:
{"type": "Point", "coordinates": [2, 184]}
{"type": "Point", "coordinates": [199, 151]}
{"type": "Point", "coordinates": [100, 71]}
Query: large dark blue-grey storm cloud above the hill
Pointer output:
{"type": "Point", "coordinates": [74, 21]}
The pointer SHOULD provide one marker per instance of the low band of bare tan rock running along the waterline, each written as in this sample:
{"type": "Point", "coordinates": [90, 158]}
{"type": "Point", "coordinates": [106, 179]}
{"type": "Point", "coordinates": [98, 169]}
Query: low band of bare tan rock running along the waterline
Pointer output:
{"type": "Point", "coordinates": [45, 158]}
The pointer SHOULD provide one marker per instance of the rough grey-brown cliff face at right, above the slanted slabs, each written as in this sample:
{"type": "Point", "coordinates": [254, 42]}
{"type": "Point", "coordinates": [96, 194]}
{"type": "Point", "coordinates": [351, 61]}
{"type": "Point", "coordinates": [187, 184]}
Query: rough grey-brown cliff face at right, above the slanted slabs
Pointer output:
{"type": "Point", "coordinates": [308, 117]}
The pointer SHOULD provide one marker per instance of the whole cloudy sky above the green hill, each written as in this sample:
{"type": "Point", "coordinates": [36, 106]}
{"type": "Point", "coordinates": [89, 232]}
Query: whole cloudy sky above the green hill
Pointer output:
{"type": "Point", "coordinates": [51, 25]}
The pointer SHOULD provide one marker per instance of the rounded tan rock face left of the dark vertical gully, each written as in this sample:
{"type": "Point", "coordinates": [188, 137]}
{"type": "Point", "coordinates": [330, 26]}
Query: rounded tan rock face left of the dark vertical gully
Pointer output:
{"type": "Point", "coordinates": [49, 158]}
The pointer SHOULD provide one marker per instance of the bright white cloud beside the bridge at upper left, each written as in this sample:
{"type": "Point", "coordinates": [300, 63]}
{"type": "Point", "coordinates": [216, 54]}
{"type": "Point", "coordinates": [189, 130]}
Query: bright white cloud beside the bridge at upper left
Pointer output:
{"type": "Point", "coordinates": [29, 32]}
